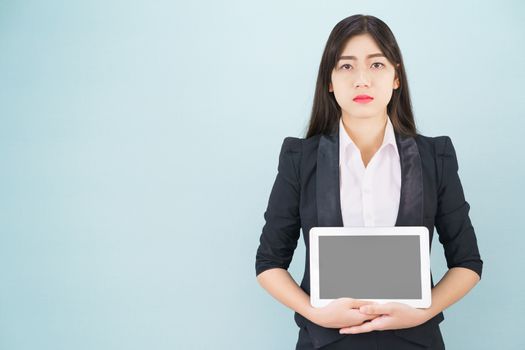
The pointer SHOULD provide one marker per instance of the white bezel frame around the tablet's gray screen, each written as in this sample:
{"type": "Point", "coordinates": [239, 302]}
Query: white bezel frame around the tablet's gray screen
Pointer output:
{"type": "Point", "coordinates": [421, 231]}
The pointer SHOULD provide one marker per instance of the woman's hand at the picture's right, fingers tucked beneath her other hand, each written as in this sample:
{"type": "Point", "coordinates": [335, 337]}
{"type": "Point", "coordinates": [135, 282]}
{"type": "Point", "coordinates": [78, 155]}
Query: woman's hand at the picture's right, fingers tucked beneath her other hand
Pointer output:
{"type": "Point", "coordinates": [393, 316]}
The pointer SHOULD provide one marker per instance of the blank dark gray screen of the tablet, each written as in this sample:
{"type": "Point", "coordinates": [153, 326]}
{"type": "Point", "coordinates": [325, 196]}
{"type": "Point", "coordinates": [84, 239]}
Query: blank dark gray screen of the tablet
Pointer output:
{"type": "Point", "coordinates": [369, 267]}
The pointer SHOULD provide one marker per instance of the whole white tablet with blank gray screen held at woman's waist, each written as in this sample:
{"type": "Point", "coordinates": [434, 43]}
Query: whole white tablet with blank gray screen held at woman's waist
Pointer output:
{"type": "Point", "coordinates": [380, 264]}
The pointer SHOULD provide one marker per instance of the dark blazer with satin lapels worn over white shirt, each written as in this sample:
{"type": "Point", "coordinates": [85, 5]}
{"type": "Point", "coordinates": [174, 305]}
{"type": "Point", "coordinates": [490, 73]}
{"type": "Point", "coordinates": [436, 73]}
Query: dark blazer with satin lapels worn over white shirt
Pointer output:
{"type": "Point", "coordinates": [306, 194]}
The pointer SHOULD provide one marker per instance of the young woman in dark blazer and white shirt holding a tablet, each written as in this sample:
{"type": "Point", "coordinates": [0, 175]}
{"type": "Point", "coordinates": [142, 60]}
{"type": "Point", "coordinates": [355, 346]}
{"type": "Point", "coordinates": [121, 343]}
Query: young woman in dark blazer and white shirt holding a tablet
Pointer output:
{"type": "Point", "coordinates": [362, 163]}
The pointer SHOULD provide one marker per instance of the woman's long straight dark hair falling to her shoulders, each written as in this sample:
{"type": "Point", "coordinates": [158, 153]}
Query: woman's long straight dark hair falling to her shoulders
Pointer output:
{"type": "Point", "coordinates": [325, 110]}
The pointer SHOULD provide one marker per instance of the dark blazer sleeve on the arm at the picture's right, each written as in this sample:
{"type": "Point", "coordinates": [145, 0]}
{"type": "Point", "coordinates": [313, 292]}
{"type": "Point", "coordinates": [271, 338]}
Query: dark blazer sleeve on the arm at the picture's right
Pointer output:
{"type": "Point", "coordinates": [452, 221]}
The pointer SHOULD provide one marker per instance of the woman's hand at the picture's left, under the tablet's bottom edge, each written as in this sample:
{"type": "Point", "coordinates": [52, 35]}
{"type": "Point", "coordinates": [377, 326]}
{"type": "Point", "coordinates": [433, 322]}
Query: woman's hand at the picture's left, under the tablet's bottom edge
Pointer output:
{"type": "Point", "coordinates": [340, 313]}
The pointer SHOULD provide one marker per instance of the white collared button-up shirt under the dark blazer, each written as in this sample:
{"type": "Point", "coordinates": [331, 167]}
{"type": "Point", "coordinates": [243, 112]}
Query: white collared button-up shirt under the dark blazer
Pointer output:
{"type": "Point", "coordinates": [369, 196]}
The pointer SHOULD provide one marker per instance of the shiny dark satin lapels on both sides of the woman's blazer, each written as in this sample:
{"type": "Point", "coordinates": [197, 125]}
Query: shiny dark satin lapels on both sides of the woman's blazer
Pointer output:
{"type": "Point", "coordinates": [327, 181]}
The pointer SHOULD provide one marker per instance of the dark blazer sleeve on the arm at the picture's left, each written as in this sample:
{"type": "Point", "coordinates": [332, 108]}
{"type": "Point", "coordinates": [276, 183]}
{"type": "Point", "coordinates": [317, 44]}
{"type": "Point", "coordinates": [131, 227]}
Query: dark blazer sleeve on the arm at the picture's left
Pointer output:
{"type": "Point", "coordinates": [281, 230]}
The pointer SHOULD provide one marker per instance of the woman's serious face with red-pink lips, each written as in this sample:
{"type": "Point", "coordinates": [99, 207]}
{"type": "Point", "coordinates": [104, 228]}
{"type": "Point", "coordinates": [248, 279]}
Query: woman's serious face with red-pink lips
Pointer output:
{"type": "Point", "coordinates": [363, 70]}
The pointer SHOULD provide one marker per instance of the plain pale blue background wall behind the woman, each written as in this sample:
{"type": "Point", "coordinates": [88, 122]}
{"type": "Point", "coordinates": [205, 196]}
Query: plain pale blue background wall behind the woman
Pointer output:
{"type": "Point", "coordinates": [139, 142]}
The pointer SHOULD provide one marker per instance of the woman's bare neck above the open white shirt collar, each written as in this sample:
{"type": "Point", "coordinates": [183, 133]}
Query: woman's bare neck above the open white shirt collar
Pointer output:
{"type": "Point", "coordinates": [366, 133]}
